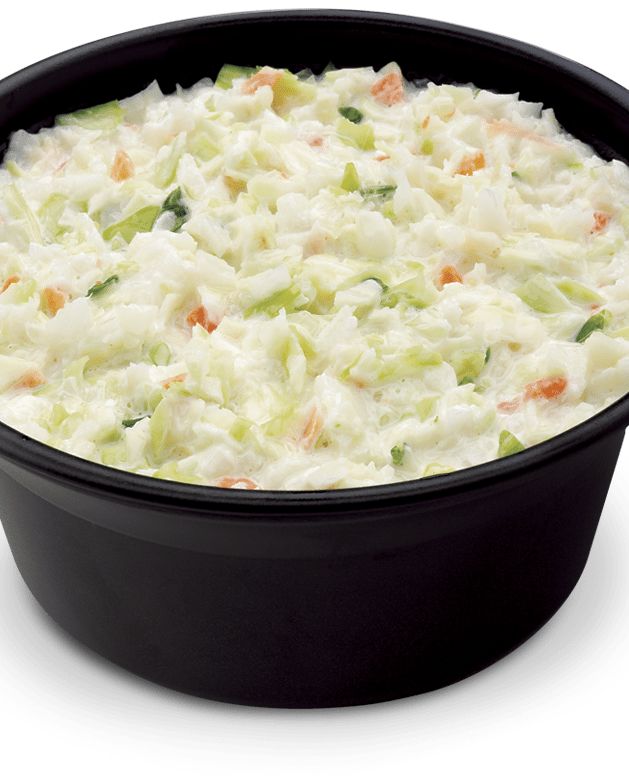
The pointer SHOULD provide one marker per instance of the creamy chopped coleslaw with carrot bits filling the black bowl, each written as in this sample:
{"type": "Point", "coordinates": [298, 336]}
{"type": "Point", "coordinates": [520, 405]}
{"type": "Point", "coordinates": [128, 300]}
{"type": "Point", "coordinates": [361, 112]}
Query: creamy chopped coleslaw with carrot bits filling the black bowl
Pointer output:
{"type": "Point", "coordinates": [299, 282]}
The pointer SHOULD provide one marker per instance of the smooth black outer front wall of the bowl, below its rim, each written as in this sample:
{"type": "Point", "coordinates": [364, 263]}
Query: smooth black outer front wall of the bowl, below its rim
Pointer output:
{"type": "Point", "coordinates": [353, 623]}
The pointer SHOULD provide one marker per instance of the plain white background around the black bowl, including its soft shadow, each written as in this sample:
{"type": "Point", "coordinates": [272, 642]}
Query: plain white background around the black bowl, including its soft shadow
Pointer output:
{"type": "Point", "coordinates": [556, 707]}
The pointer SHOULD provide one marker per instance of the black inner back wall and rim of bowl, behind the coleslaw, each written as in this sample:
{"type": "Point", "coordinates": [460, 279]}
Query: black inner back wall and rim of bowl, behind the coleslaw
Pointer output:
{"type": "Point", "coordinates": [184, 52]}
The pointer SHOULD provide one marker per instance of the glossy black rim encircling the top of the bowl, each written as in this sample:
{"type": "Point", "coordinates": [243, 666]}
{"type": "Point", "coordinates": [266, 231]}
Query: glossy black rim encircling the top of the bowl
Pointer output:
{"type": "Point", "coordinates": [28, 453]}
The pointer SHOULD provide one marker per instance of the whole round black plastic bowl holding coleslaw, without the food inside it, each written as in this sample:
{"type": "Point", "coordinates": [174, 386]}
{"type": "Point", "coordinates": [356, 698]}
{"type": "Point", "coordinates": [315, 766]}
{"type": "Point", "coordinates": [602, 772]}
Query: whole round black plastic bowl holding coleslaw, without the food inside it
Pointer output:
{"type": "Point", "coordinates": [304, 599]}
